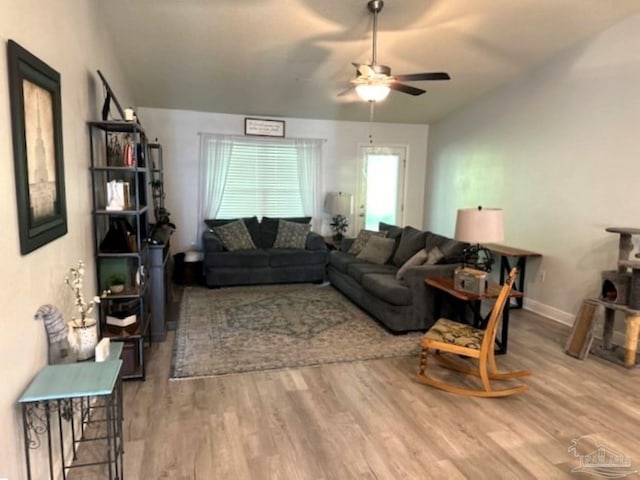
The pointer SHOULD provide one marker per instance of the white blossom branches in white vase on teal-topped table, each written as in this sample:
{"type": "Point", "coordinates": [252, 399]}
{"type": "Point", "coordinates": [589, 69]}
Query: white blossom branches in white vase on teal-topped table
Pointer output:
{"type": "Point", "coordinates": [86, 333]}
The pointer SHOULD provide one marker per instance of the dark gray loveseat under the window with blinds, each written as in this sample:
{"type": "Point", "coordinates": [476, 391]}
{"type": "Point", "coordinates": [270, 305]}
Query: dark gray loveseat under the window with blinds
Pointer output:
{"type": "Point", "coordinates": [263, 264]}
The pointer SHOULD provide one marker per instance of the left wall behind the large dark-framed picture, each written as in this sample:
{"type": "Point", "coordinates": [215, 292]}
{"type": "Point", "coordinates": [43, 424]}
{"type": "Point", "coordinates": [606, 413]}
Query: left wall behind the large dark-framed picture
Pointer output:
{"type": "Point", "coordinates": [69, 37]}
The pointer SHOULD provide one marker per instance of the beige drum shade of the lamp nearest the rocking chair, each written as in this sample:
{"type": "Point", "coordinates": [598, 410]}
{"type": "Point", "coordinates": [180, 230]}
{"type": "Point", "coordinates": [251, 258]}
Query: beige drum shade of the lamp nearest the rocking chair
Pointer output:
{"type": "Point", "coordinates": [479, 225]}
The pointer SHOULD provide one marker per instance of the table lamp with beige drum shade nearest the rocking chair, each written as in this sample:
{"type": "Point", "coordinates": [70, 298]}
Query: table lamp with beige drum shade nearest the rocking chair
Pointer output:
{"type": "Point", "coordinates": [477, 226]}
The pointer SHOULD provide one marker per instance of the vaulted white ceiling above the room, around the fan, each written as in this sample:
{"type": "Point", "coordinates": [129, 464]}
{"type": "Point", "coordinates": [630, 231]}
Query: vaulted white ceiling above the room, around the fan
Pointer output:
{"type": "Point", "coordinates": [292, 57]}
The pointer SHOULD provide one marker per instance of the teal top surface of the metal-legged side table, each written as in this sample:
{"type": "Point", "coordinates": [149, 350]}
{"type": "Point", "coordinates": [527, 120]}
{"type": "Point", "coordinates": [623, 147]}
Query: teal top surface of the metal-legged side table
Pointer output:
{"type": "Point", "coordinates": [73, 380]}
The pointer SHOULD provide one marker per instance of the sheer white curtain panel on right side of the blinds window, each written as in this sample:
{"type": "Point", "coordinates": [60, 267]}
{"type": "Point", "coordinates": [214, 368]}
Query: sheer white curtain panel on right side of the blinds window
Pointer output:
{"type": "Point", "coordinates": [310, 167]}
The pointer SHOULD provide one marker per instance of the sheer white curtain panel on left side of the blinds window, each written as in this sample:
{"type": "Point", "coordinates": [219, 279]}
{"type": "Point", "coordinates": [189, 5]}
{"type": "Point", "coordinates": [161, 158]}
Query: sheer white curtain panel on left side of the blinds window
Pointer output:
{"type": "Point", "coordinates": [215, 157]}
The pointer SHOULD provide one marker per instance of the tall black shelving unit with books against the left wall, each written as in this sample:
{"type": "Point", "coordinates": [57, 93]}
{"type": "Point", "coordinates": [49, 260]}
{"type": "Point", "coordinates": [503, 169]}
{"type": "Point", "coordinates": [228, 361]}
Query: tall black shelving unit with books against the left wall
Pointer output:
{"type": "Point", "coordinates": [119, 153]}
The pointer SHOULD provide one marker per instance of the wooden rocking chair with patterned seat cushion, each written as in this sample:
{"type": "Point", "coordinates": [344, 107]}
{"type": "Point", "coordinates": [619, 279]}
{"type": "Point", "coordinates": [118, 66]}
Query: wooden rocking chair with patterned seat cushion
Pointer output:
{"type": "Point", "coordinates": [464, 340]}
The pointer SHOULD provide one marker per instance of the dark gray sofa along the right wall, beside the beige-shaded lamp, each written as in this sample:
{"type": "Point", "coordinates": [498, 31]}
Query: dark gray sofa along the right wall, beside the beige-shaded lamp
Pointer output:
{"type": "Point", "coordinates": [400, 305]}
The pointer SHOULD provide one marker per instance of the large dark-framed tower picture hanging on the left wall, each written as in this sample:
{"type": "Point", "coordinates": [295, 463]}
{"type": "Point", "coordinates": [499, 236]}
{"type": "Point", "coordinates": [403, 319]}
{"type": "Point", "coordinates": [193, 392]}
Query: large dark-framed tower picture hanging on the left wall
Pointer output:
{"type": "Point", "coordinates": [36, 121]}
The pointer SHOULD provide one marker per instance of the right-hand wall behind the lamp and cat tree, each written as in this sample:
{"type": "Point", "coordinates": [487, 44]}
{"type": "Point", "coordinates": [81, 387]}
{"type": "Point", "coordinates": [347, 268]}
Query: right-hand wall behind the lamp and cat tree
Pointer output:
{"type": "Point", "coordinates": [559, 150]}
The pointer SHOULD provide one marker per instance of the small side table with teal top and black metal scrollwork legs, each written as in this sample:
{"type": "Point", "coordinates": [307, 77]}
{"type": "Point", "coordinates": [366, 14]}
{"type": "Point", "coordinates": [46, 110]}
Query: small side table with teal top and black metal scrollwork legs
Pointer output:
{"type": "Point", "coordinates": [72, 392]}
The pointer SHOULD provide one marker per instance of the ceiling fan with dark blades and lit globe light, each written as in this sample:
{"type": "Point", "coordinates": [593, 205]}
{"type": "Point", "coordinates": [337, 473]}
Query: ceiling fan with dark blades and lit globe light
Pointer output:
{"type": "Point", "coordinates": [374, 82]}
